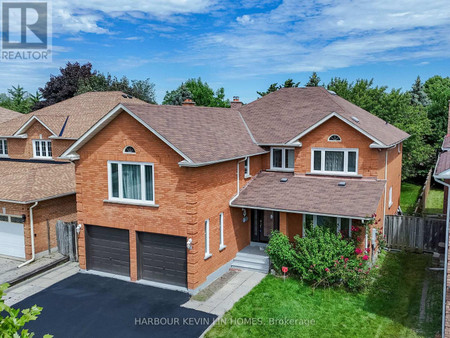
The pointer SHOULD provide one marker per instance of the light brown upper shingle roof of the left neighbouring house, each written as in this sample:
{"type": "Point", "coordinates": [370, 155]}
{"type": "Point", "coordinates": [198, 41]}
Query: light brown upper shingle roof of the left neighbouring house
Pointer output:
{"type": "Point", "coordinates": [81, 113]}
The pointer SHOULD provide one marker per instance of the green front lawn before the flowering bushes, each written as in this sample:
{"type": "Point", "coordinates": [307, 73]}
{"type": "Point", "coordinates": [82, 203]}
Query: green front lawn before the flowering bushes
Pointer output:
{"type": "Point", "coordinates": [391, 308]}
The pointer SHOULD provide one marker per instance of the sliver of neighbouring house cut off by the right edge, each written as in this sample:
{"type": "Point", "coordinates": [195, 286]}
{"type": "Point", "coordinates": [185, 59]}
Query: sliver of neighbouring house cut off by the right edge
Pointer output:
{"type": "Point", "coordinates": [442, 176]}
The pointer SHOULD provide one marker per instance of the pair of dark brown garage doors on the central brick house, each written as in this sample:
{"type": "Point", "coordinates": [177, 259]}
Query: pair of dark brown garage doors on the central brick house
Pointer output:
{"type": "Point", "coordinates": [160, 258]}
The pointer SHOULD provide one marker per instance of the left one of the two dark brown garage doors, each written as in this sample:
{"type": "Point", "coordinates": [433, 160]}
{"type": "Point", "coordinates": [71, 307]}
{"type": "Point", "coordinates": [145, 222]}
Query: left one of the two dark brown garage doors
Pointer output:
{"type": "Point", "coordinates": [107, 250]}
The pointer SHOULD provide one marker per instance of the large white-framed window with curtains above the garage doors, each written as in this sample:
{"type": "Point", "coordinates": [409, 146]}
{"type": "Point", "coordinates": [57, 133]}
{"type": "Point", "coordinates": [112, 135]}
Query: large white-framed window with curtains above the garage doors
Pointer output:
{"type": "Point", "coordinates": [131, 181]}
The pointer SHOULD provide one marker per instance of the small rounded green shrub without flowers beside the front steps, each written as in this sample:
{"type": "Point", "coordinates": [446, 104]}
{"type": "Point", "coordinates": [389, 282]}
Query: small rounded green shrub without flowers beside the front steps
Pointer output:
{"type": "Point", "coordinates": [280, 251]}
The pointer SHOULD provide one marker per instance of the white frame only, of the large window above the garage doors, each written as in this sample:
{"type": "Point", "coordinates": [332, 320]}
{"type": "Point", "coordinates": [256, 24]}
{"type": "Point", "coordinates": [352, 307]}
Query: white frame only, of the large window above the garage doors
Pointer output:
{"type": "Point", "coordinates": [143, 185]}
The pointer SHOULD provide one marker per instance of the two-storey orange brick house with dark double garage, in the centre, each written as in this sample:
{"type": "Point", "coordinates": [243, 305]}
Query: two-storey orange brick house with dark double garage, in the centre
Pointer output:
{"type": "Point", "coordinates": [171, 194]}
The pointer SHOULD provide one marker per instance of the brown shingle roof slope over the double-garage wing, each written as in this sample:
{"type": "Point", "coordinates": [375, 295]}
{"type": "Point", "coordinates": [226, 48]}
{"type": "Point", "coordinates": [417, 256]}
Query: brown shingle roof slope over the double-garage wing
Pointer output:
{"type": "Point", "coordinates": [201, 133]}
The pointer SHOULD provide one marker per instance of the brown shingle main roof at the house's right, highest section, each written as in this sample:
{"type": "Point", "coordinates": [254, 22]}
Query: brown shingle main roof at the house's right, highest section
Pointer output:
{"type": "Point", "coordinates": [282, 115]}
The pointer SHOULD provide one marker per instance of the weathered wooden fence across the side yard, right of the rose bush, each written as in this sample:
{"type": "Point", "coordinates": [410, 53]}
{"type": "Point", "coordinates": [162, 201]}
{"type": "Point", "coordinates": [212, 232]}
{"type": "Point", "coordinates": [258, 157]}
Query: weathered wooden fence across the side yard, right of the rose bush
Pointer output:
{"type": "Point", "coordinates": [414, 233]}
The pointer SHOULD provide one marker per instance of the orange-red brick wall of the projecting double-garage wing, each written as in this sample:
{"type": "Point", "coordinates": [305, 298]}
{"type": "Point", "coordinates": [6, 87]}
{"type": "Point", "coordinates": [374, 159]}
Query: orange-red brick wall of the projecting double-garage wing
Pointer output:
{"type": "Point", "coordinates": [186, 197]}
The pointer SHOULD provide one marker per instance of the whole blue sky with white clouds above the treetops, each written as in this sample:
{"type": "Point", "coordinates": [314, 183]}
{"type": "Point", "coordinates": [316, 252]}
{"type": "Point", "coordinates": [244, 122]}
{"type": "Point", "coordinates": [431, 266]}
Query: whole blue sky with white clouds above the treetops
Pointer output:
{"type": "Point", "coordinates": [246, 45]}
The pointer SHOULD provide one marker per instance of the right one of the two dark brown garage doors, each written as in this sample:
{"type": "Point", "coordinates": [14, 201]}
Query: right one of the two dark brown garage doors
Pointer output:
{"type": "Point", "coordinates": [162, 258]}
